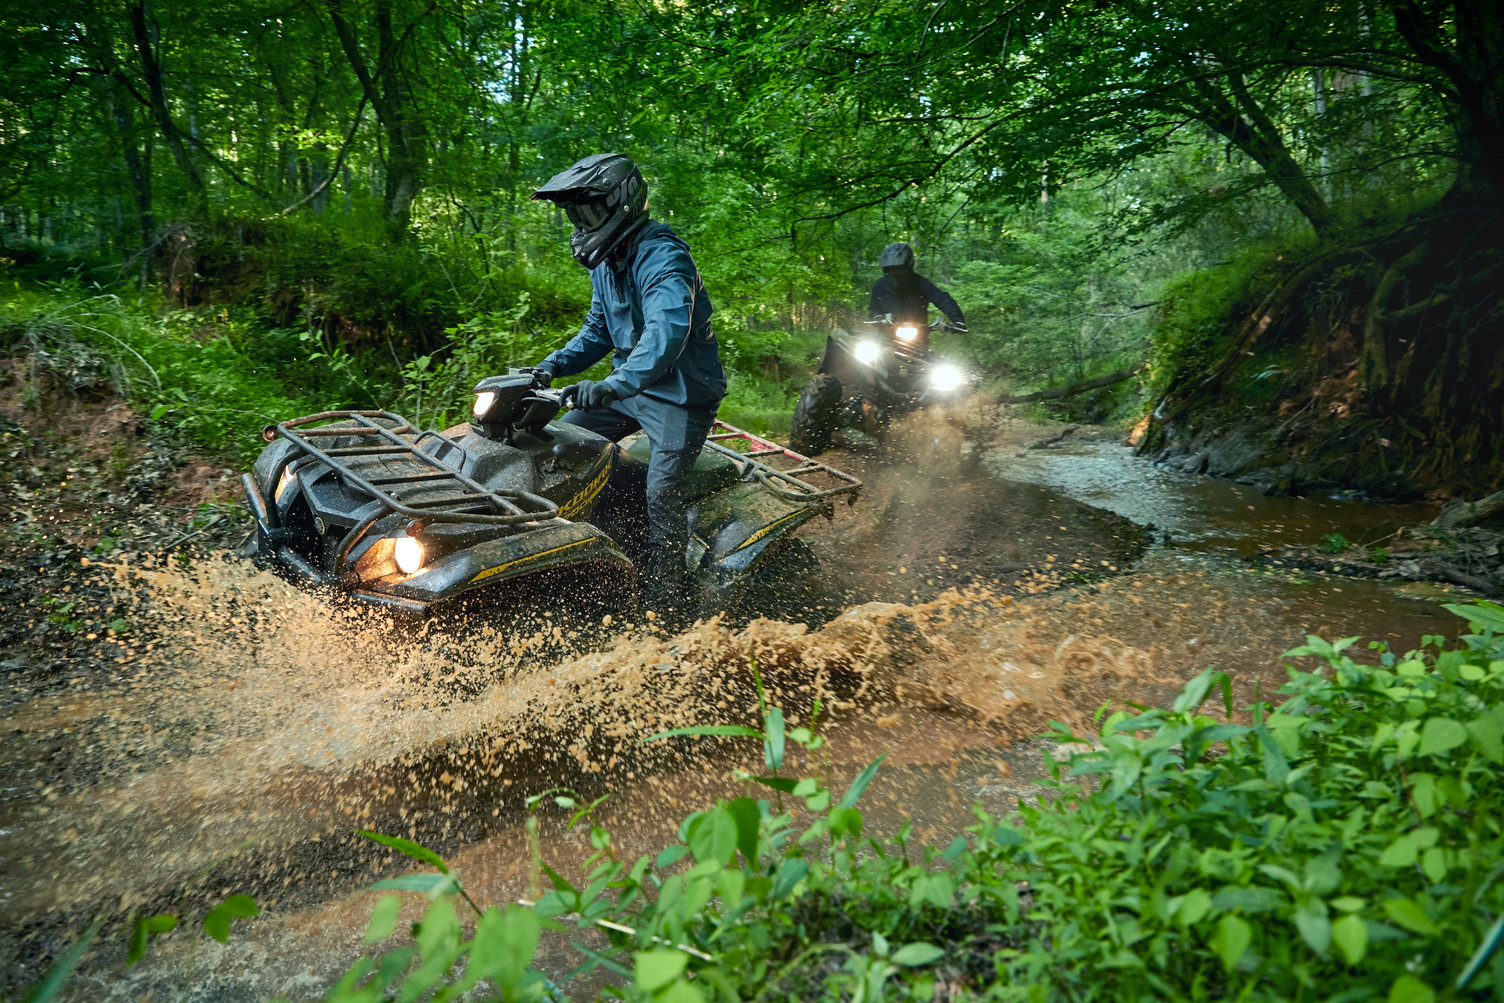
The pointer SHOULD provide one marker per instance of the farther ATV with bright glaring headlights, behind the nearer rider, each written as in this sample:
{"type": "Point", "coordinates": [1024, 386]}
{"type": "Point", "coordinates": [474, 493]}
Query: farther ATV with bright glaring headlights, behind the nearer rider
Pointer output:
{"type": "Point", "coordinates": [864, 381]}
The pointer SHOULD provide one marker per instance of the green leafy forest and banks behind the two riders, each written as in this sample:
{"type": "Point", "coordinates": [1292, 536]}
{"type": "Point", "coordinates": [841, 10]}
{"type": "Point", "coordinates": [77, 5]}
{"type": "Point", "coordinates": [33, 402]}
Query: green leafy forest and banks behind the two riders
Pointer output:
{"type": "Point", "coordinates": [1294, 201]}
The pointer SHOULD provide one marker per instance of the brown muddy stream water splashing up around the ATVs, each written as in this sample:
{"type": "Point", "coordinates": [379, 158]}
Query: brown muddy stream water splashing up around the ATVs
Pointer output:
{"type": "Point", "coordinates": [962, 605]}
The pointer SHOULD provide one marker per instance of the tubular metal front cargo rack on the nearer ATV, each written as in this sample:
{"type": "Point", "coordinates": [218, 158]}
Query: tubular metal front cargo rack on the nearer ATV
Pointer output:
{"type": "Point", "coordinates": [472, 503]}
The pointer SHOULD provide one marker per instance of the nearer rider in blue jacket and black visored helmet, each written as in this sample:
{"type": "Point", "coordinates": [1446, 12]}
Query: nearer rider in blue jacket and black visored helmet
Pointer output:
{"type": "Point", "coordinates": [649, 306]}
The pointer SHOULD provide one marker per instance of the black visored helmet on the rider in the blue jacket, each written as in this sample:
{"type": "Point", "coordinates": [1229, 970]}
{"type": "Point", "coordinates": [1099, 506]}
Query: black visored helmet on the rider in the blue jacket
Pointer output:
{"type": "Point", "coordinates": [607, 201]}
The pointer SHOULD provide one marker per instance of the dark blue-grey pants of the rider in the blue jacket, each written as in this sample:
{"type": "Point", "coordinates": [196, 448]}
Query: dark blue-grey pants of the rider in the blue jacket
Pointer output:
{"type": "Point", "coordinates": [678, 434]}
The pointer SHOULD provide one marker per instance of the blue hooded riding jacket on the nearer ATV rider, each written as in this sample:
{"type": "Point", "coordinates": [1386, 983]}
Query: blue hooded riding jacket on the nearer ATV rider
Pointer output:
{"type": "Point", "coordinates": [649, 306]}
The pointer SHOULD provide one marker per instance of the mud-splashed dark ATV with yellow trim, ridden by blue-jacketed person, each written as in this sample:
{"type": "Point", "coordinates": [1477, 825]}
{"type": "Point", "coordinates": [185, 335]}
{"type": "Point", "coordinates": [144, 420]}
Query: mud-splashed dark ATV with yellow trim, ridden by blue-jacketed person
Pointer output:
{"type": "Point", "coordinates": [366, 505]}
